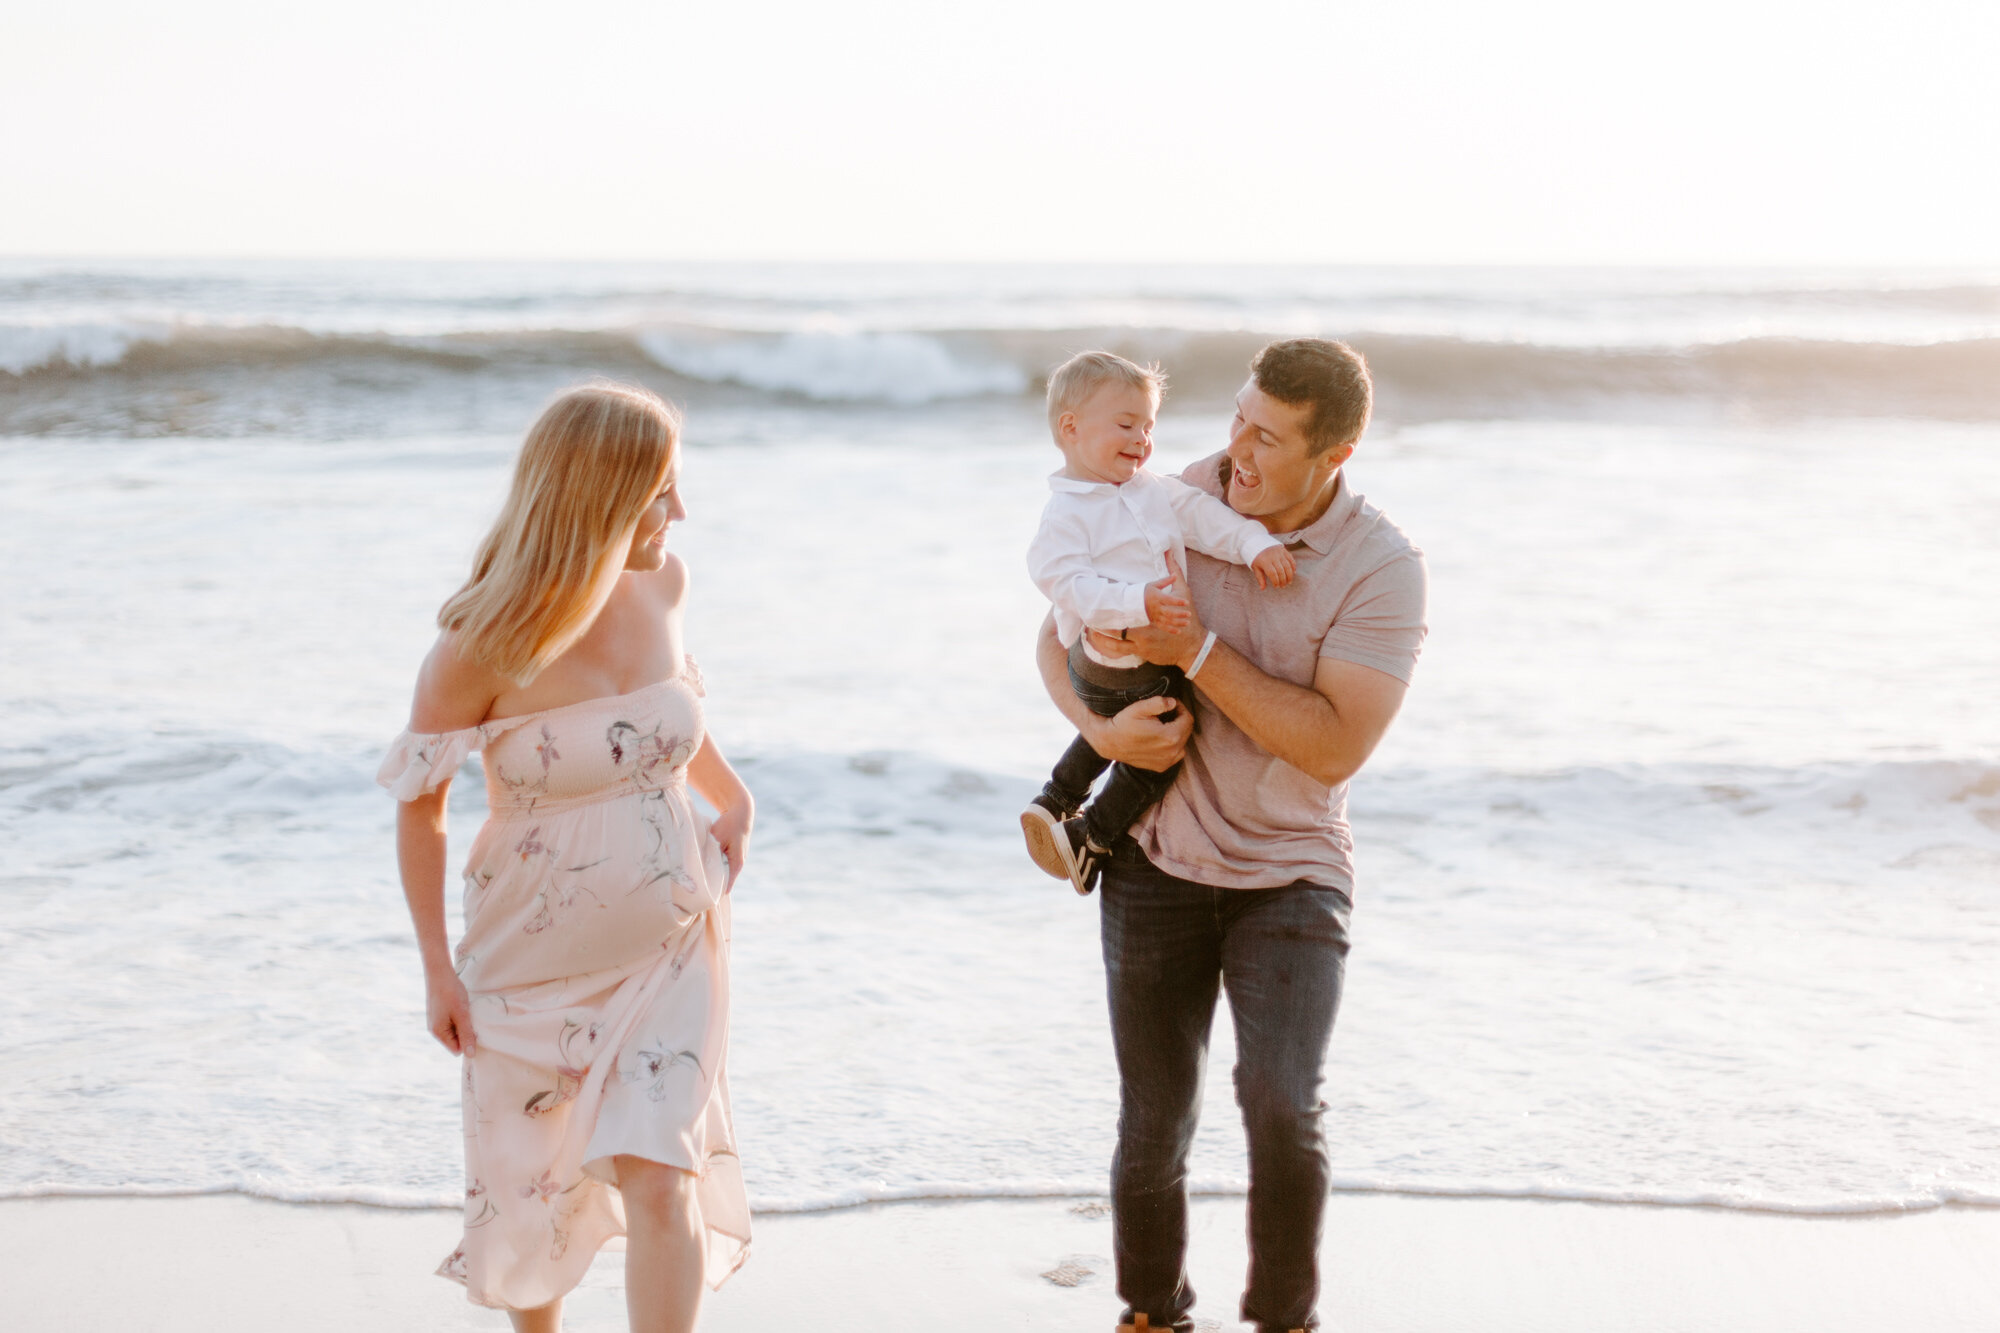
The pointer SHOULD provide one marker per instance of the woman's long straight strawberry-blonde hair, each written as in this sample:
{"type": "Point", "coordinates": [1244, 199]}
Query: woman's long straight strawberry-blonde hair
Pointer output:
{"type": "Point", "coordinates": [589, 469]}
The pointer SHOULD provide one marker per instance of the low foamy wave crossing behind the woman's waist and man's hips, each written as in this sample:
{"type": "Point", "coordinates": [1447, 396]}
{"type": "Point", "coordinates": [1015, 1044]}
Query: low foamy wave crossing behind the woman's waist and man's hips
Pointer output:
{"type": "Point", "coordinates": [1913, 814]}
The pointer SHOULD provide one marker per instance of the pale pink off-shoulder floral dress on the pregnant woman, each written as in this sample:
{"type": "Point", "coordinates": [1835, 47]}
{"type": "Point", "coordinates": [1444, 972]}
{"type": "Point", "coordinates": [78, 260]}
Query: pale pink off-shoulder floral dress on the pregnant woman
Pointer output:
{"type": "Point", "coordinates": [597, 958]}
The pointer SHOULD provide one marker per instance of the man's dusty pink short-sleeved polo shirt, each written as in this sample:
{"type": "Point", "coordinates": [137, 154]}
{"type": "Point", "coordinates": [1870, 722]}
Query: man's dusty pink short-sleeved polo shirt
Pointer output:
{"type": "Point", "coordinates": [1239, 818]}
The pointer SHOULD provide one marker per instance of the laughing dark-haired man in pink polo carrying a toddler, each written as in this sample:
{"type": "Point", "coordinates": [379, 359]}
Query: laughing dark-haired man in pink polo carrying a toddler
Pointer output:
{"type": "Point", "coordinates": [1243, 876]}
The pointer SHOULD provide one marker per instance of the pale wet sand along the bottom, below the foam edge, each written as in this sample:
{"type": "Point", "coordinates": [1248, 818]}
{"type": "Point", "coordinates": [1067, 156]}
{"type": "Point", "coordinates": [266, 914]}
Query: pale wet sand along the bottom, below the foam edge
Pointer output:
{"type": "Point", "coordinates": [1393, 1264]}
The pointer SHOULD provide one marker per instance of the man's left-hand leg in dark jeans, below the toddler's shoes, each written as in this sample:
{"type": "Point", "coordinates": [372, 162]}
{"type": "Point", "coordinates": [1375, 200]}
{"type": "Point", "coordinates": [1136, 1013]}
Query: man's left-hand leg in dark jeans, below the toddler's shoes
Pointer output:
{"type": "Point", "coordinates": [1161, 970]}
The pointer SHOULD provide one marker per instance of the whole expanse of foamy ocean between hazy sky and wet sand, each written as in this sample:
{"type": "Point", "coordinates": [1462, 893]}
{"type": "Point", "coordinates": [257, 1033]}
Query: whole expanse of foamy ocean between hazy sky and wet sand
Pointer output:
{"type": "Point", "coordinates": [1679, 876]}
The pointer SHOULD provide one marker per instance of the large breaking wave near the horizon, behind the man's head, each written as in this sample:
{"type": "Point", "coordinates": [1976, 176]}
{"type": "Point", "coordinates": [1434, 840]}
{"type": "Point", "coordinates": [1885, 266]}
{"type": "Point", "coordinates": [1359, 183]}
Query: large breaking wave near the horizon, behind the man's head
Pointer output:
{"type": "Point", "coordinates": [1417, 377]}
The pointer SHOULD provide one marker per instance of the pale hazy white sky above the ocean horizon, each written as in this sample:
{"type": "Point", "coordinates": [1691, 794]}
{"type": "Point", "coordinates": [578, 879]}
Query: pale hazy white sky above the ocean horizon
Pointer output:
{"type": "Point", "coordinates": [1543, 131]}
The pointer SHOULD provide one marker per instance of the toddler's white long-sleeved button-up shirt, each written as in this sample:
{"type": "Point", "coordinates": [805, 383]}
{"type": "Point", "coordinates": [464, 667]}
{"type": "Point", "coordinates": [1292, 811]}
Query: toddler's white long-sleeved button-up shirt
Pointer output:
{"type": "Point", "coordinates": [1101, 545]}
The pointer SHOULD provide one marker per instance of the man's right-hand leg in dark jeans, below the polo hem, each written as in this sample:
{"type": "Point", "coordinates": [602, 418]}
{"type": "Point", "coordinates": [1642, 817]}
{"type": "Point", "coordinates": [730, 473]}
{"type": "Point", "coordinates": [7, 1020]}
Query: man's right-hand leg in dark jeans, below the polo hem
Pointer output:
{"type": "Point", "coordinates": [1283, 964]}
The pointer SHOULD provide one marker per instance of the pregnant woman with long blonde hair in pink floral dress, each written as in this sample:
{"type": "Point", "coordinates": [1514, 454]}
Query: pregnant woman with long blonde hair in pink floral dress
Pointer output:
{"type": "Point", "coordinates": [591, 988]}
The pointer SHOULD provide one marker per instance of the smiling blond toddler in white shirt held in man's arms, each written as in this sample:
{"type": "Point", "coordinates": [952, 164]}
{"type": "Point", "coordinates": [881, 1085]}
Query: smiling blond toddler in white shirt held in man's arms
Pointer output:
{"type": "Point", "coordinates": [1101, 559]}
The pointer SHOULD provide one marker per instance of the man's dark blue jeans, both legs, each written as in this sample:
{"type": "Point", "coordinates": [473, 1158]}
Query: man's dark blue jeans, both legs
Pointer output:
{"type": "Point", "coordinates": [1281, 954]}
